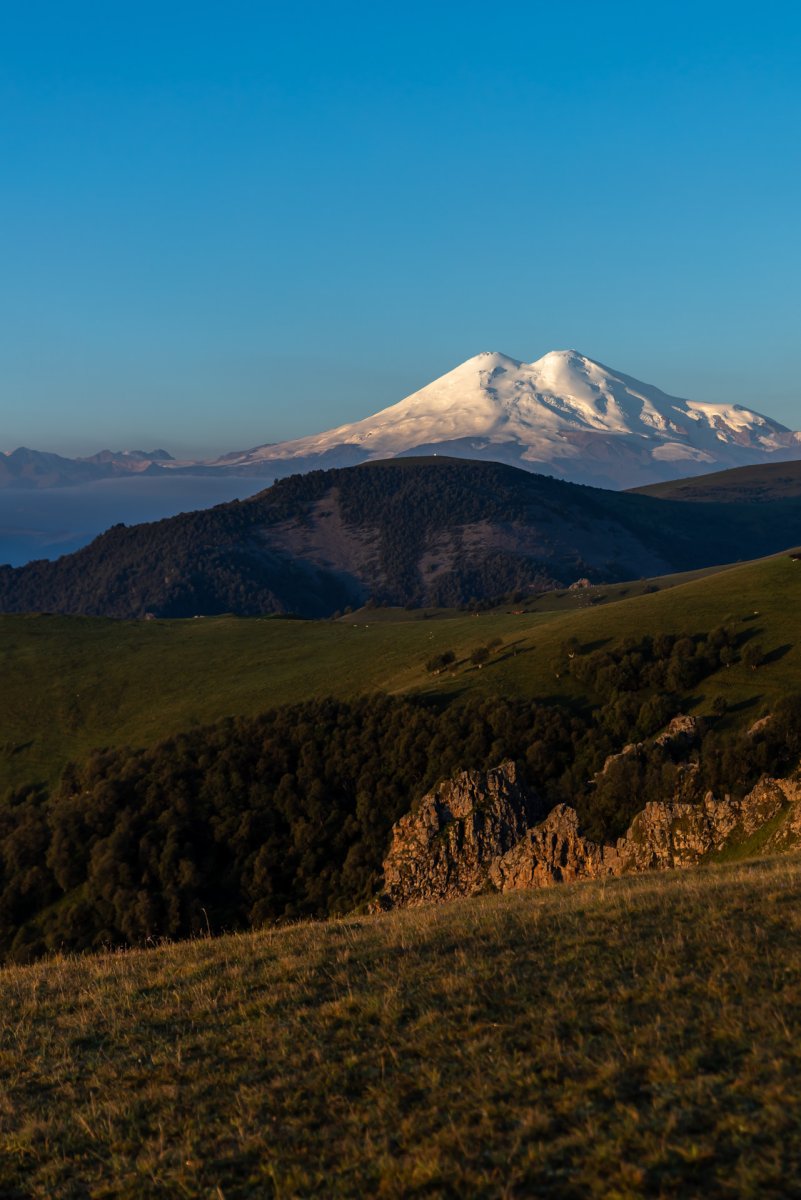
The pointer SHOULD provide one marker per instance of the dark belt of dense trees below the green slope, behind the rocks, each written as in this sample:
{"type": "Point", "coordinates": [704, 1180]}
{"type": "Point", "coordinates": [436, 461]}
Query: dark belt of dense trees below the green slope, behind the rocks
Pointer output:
{"type": "Point", "coordinates": [290, 814]}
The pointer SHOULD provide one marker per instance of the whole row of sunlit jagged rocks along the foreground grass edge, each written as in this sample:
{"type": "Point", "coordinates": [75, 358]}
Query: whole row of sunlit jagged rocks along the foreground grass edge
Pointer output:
{"type": "Point", "coordinates": [478, 833]}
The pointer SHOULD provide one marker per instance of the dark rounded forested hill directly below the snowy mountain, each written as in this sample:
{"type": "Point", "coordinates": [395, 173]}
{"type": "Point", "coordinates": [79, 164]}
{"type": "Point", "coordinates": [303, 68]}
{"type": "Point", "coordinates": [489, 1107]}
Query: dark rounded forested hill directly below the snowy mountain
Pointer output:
{"type": "Point", "coordinates": [407, 531]}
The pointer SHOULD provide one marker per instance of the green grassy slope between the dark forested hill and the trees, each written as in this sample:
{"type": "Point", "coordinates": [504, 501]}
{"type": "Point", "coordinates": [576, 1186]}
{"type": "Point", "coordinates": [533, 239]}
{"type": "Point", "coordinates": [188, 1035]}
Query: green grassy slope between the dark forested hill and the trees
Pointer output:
{"type": "Point", "coordinates": [70, 685]}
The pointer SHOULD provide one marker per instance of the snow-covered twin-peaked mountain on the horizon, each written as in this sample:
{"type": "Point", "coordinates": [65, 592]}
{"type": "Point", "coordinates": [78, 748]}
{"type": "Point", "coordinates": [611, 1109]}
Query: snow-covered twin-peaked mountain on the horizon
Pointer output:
{"type": "Point", "coordinates": [563, 415]}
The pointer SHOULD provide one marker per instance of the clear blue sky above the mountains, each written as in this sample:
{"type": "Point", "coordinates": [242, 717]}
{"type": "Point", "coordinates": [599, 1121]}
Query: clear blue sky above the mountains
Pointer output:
{"type": "Point", "coordinates": [226, 225]}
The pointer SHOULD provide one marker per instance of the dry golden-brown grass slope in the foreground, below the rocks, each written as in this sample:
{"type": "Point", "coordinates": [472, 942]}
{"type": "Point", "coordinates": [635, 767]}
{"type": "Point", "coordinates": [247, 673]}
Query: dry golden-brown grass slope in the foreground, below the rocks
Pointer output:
{"type": "Point", "coordinates": [637, 1039]}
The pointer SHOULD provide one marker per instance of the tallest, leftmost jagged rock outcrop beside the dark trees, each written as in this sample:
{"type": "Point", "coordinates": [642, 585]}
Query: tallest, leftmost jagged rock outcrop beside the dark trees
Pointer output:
{"type": "Point", "coordinates": [445, 849]}
